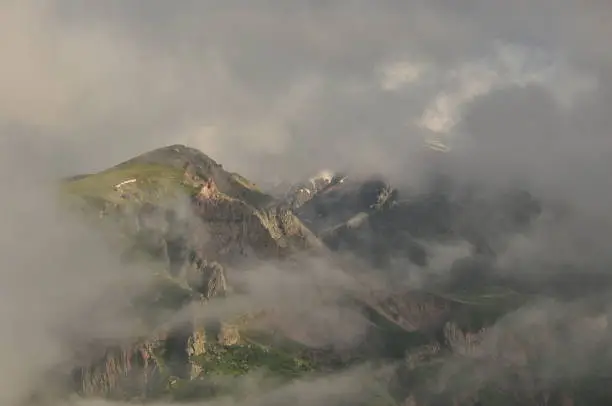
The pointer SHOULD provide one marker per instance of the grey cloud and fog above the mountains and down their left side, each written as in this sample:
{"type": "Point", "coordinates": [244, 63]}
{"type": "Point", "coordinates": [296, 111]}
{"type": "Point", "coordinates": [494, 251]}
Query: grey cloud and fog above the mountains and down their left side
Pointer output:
{"type": "Point", "coordinates": [519, 92]}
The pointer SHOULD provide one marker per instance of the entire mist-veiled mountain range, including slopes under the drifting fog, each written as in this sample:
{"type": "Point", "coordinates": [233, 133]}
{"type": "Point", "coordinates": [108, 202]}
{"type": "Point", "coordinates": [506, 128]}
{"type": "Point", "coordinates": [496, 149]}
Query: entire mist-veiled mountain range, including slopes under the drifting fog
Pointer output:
{"type": "Point", "coordinates": [402, 290]}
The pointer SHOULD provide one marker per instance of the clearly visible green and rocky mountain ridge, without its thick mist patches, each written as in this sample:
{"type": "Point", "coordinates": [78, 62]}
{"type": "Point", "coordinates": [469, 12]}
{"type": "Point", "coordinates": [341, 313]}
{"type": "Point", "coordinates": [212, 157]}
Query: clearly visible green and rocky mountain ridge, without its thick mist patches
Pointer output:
{"type": "Point", "coordinates": [204, 225]}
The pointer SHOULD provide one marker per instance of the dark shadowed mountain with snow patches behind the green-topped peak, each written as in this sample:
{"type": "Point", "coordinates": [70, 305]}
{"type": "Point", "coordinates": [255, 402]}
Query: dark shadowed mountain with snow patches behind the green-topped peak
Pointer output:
{"type": "Point", "coordinates": [371, 219]}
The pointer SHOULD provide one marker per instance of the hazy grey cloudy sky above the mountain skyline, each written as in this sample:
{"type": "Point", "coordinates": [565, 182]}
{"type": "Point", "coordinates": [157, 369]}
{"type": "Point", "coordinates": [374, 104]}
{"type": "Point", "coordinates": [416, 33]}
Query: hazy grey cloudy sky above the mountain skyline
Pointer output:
{"type": "Point", "coordinates": [272, 87]}
